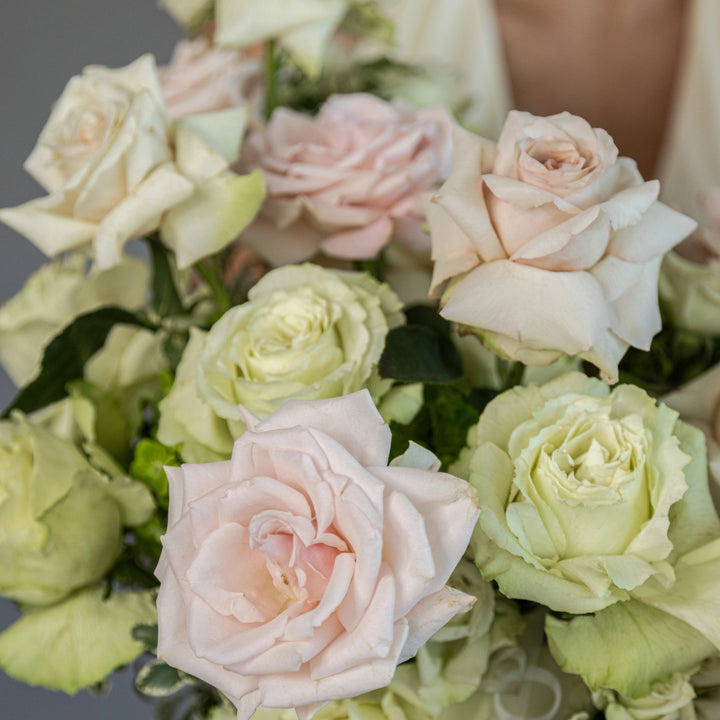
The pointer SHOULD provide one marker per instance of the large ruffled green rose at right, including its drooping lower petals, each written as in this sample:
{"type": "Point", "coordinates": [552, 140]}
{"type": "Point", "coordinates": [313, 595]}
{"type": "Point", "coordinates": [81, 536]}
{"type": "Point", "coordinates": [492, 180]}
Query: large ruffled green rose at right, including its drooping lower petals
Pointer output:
{"type": "Point", "coordinates": [598, 502]}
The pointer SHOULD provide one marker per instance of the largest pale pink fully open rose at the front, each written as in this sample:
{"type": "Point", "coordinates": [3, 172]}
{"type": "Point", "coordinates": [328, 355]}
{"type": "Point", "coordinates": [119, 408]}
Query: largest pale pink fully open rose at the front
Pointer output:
{"type": "Point", "coordinates": [306, 568]}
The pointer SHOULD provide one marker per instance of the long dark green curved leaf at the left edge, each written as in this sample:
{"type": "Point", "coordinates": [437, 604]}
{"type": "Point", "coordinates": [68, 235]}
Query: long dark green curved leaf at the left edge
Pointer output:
{"type": "Point", "coordinates": [65, 357]}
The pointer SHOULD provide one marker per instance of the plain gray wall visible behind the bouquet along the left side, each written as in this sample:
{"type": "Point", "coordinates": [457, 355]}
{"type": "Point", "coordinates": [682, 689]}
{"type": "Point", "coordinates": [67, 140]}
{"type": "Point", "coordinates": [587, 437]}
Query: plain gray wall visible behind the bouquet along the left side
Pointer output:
{"type": "Point", "coordinates": [42, 44]}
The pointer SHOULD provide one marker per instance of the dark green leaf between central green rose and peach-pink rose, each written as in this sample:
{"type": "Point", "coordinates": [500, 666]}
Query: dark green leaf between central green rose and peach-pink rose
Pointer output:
{"type": "Point", "coordinates": [416, 353]}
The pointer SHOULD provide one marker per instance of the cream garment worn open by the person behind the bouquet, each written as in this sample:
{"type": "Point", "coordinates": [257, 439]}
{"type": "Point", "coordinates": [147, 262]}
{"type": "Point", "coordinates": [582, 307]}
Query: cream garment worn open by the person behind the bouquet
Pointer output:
{"type": "Point", "coordinates": [465, 34]}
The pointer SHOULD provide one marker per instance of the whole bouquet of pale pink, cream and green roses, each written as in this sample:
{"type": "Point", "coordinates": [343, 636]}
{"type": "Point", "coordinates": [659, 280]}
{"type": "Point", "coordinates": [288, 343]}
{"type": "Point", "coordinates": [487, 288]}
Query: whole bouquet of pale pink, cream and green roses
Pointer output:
{"type": "Point", "coordinates": [387, 422]}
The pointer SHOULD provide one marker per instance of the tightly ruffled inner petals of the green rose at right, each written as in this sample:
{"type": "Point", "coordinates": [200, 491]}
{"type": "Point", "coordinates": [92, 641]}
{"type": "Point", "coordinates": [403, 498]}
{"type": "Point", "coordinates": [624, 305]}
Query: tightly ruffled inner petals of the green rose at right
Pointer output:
{"type": "Point", "coordinates": [584, 477]}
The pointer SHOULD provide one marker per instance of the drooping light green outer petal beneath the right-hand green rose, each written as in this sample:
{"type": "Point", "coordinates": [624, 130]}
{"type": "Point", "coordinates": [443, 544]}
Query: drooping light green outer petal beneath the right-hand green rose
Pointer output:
{"type": "Point", "coordinates": [627, 647]}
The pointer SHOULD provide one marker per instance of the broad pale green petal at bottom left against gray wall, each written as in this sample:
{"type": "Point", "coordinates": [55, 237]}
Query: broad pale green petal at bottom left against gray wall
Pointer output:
{"type": "Point", "coordinates": [75, 643]}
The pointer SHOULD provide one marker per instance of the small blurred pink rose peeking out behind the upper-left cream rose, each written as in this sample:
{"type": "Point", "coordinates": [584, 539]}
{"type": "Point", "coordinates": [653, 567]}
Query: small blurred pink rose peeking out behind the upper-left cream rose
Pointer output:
{"type": "Point", "coordinates": [202, 77]}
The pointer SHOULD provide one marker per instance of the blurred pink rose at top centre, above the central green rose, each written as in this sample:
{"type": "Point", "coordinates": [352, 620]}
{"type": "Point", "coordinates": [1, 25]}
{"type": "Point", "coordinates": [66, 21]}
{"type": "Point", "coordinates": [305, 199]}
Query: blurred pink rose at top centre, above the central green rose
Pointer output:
{"type": "Point", "coordinates": [348, 180]}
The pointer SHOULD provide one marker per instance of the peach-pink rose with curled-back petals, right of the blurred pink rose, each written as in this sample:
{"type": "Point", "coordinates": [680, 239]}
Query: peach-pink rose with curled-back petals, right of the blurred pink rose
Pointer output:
{"type": "Point", "coordinates": [549, 243]}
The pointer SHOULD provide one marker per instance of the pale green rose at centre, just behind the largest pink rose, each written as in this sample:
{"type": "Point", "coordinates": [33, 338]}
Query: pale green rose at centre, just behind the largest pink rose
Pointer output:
{"type": "Point", "coordinates": [305, 333]}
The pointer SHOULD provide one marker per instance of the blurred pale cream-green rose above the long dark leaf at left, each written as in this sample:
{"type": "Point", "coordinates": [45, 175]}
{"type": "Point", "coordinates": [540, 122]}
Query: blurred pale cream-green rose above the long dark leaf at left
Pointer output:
{"type": "Point", "coordinates": [55, 295]}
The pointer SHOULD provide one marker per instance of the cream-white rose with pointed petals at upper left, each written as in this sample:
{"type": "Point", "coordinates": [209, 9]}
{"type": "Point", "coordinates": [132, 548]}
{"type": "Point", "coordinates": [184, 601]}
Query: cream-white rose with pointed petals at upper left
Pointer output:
{"type": "Point", "coordinates": [115, 169]}
